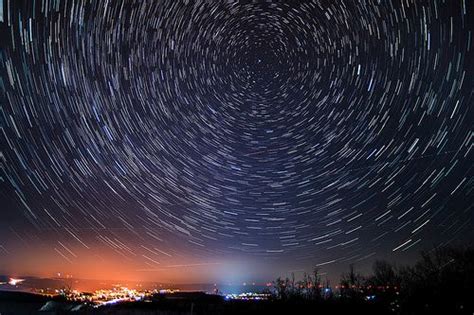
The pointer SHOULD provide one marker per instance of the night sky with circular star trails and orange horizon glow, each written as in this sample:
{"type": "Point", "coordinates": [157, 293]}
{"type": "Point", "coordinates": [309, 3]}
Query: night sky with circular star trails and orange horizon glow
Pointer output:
{"type": "Point", "coordinates": [223, 141]}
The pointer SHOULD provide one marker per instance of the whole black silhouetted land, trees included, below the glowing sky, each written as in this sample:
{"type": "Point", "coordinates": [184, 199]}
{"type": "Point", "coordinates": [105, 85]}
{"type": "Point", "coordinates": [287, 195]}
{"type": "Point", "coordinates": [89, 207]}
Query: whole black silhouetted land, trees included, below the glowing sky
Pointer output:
{"type": "Point", "coordinates": [439, 283]}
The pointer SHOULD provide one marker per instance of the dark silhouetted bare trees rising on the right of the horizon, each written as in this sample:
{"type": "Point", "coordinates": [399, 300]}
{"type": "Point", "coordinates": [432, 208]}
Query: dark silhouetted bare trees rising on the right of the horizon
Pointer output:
{"type": "Point", "coordinates": [440, 282]}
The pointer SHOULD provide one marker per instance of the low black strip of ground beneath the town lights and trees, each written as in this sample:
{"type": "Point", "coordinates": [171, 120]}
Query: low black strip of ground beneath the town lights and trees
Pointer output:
{"type": "Point", "coordinates": [17, 303]}
